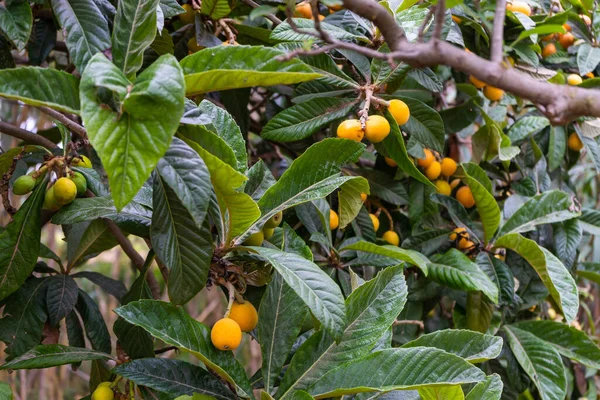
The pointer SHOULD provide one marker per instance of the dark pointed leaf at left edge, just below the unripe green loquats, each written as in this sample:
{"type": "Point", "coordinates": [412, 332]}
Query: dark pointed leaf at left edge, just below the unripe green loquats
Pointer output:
{"type": "Point", "coordinates": [20, 242]}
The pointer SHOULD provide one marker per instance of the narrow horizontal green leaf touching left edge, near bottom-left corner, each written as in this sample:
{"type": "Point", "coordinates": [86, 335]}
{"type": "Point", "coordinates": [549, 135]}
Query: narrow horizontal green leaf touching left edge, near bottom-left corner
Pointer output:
{"type": "Point", "coordinates": [52, 355]}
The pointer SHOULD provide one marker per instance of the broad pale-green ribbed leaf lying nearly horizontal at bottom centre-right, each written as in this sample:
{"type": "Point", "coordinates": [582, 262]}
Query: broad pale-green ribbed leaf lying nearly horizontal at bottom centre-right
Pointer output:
{"type": "Point", "coordinates": [396, 369]}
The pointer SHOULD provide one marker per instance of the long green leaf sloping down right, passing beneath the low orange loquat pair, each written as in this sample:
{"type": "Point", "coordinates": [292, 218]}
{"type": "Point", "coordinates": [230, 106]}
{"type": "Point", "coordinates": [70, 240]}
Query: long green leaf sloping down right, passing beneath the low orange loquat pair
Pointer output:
{"type": "Point", "coordinates": [175, 327]}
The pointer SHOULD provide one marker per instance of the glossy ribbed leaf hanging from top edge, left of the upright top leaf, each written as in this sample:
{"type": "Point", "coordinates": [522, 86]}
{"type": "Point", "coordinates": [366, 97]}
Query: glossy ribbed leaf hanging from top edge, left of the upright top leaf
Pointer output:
{"type": "Point", "coordinates": [86, 29]}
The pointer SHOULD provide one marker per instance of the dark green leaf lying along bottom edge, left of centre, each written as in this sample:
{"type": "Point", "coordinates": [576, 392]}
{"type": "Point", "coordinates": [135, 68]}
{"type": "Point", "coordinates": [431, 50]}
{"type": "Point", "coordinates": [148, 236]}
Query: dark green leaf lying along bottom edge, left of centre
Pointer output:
{"type": "Point", "coordinates": [174, 377]}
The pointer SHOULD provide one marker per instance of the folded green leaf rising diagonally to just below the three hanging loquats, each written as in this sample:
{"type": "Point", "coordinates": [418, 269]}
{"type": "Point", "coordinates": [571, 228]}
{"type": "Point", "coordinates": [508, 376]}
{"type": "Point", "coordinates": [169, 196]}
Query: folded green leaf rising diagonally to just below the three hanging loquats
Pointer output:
{"type": "Point", "coordinates": [313, 175]}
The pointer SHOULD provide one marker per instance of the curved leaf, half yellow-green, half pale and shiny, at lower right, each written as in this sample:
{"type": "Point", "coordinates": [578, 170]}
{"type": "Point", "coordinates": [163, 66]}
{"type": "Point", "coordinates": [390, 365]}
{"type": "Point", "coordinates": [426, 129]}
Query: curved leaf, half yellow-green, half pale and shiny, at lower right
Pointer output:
{"type": "Point", "coordinates": [552, 272]}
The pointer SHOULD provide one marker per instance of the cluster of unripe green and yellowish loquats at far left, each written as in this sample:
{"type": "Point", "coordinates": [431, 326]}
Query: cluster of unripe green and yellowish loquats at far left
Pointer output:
{"type": "Point", "coordinates": [63, 191]}
